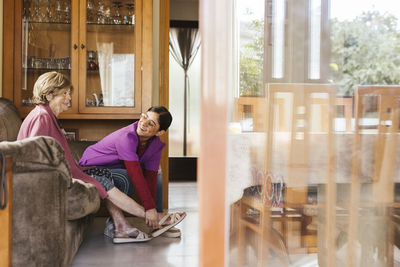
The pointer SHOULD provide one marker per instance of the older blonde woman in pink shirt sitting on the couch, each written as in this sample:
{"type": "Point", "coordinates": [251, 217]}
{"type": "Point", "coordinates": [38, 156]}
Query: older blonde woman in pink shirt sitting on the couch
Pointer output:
{"type": "Point", "coordinates": [52, 96]}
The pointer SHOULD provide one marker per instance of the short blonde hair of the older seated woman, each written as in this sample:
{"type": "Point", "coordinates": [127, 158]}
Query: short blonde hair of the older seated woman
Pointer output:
{"type": "Point", "coordinates": [50, 83]}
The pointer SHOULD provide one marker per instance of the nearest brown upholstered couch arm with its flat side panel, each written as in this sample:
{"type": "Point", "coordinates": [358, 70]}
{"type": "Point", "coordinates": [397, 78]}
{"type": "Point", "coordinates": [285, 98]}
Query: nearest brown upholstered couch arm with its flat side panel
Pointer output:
{"type": "Point", "coordinates": [41, 178]}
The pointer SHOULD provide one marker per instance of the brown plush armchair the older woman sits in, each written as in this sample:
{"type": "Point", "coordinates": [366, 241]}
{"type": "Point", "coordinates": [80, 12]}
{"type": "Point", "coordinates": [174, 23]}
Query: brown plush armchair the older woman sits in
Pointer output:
{"type": "Point", "coordinates": [51, 210]}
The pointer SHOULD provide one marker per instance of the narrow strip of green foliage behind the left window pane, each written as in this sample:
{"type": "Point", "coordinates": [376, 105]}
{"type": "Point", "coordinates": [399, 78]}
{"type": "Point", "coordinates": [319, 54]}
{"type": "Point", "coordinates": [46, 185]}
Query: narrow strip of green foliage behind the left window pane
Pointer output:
{"type": "Point", "coordinates": [251, 61]}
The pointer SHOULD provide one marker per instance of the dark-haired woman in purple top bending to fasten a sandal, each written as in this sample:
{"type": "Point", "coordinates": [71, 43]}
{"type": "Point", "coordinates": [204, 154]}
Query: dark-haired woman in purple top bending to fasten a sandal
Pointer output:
{"type": "Point", "coordinates": [135, 152]}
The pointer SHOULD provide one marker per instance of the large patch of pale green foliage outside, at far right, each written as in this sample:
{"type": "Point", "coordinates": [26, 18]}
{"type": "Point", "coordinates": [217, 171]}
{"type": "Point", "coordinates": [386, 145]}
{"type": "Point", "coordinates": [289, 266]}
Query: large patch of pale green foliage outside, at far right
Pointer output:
{"type": "Point", "coordinates": [364, 51]}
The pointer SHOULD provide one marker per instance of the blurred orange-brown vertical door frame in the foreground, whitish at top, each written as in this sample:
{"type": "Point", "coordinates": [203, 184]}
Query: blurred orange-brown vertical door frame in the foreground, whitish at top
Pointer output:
{"type": "Point", "coordinates": [216, 81]}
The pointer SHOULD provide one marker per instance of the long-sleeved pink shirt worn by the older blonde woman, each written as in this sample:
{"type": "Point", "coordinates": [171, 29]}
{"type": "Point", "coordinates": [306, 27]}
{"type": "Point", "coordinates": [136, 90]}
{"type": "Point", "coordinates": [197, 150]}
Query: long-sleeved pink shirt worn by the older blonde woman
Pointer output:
{"type": "Point", "coordinates": [41, 121]}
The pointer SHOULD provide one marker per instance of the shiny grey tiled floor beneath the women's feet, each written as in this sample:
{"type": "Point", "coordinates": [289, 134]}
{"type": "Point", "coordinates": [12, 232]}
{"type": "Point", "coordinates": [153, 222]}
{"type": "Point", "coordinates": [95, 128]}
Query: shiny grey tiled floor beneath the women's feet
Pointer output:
{"type": "Point", "coordinates": [98, 250]}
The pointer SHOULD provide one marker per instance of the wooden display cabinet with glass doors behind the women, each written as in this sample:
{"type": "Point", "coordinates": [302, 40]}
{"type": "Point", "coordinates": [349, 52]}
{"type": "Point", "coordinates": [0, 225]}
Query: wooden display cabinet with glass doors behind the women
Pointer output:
{"type": "Point", "coordinates": [104, 47]}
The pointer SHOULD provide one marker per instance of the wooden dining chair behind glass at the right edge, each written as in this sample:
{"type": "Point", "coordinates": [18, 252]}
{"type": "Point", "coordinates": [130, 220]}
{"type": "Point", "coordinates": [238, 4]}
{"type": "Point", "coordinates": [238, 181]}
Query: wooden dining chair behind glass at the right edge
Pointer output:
{"type": "Point", "coordinates": [380, 204]}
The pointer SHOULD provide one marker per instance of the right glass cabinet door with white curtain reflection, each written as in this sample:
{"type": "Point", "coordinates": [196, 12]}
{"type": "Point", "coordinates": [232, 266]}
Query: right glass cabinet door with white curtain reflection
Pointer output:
{"type": "Point", "coordinates": [109, 56]}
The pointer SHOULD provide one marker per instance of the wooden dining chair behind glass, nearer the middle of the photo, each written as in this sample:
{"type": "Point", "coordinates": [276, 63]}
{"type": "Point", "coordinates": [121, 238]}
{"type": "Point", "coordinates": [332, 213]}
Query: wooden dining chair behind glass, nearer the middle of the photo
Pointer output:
{"type": "Point", "coordinates": [281, 226]}
